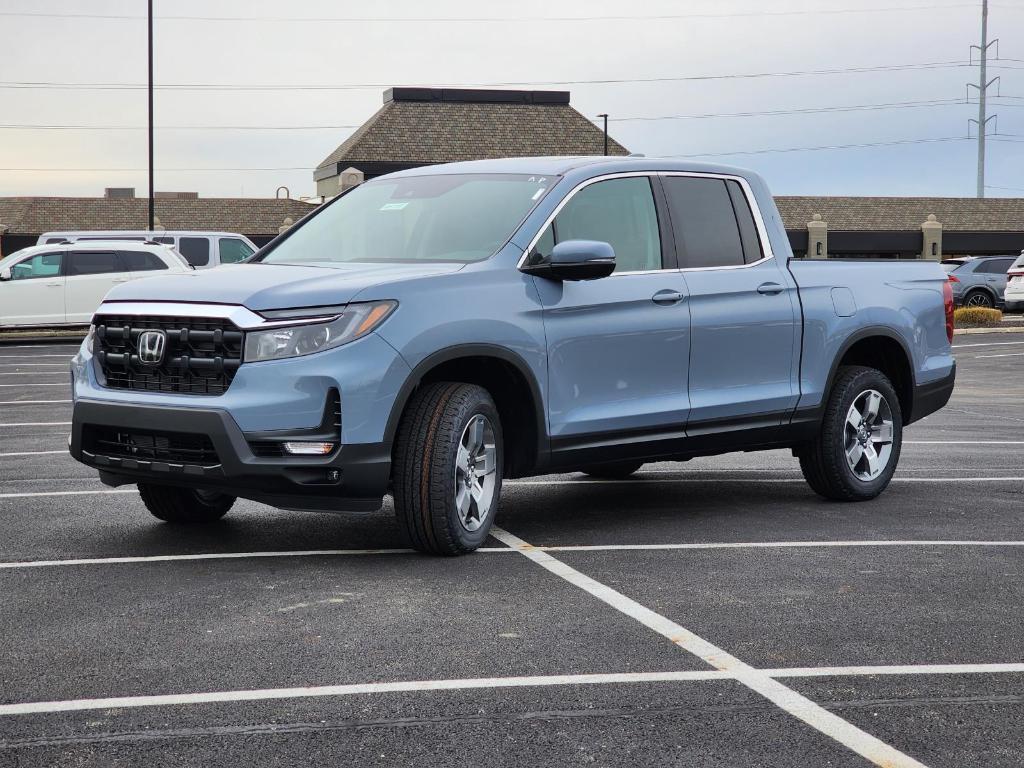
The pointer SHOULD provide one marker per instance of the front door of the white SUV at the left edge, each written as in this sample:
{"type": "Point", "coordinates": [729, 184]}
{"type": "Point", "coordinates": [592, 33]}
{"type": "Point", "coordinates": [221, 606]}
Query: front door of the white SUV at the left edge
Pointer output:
{"type": "Point", "coordinates": [35, 294]}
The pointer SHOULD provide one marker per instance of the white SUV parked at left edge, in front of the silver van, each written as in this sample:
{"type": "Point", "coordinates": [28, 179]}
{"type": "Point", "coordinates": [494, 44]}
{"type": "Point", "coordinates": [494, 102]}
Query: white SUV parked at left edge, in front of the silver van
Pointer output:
{"type": "Point", "coordinates": [64, 285]}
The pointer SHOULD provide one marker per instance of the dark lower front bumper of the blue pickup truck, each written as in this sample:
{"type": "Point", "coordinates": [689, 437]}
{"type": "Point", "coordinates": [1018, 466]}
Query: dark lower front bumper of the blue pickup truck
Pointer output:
{"type": "Point", "coordinates": [354, 479]}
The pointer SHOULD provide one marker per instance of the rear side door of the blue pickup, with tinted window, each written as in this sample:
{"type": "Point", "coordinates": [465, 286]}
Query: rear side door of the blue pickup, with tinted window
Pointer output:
{"type": "Point", "coordinates": [744, 309]}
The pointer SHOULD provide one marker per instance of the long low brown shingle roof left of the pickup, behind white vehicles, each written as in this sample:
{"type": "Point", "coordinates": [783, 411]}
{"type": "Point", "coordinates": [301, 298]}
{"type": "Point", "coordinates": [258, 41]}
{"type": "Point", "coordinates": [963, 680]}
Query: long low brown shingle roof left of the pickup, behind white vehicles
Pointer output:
{"type": "Point", "coordinates": [243, 216]}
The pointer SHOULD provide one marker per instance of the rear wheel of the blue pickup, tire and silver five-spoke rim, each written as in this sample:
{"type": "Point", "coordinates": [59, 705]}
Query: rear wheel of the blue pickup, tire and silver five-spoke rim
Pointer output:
{"type": "Point", "coordinates": [826, 462]}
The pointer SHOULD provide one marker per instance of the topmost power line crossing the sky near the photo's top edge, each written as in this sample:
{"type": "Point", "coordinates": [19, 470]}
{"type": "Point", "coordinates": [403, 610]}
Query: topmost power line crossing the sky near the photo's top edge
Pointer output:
{"type": "Point", "coordinates": [488, 20]}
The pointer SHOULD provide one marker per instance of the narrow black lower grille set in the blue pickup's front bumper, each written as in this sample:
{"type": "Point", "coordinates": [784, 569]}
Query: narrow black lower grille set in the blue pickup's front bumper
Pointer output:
{"type": "Point", "coordinates": [168, 448]}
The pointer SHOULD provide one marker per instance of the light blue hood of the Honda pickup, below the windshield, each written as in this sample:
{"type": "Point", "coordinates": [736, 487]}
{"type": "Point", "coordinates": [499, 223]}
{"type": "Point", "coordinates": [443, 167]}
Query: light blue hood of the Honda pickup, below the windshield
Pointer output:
{"type": "Point", "coordinates": [274, 286]}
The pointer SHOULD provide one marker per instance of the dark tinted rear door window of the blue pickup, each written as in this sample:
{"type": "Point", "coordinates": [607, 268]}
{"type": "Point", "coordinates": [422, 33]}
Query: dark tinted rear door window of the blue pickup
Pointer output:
{"type": "Point", "coordinates": [710, 231]}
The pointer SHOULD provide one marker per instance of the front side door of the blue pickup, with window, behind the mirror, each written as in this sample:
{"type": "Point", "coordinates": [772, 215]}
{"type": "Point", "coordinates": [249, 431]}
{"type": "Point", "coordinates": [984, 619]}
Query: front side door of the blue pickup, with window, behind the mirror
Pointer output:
{"type": "Point", "coordinates": [618, 347]}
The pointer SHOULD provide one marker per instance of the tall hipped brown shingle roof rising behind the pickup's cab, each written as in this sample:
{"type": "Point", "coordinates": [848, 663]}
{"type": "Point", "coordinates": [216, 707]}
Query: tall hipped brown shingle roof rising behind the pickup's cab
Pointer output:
{"type": "Point", "coordinates": [429, 126]}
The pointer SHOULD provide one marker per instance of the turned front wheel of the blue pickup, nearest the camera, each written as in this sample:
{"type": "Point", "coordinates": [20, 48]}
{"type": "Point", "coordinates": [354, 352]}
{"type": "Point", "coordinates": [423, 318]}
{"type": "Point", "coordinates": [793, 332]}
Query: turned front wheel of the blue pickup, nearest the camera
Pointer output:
{"type": "Point", "coordinates": [448, 468]}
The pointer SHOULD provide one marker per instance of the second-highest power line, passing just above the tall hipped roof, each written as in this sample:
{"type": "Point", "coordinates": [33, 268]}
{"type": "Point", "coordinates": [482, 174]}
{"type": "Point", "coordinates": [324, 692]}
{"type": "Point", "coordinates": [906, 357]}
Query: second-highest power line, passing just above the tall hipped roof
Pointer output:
{"type": "Point", "coordinates": [373, 87]}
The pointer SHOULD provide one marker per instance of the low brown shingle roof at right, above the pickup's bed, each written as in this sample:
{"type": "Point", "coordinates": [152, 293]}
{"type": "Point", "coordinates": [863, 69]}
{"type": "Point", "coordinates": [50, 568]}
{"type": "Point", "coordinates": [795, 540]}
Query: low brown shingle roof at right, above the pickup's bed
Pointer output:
{"type": "Point", "coordinates": [905, 215]}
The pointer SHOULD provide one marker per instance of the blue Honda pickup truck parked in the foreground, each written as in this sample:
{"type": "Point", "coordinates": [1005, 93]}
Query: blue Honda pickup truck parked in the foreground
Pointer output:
{"type": "Point", "coordinates": [434, 332]}
